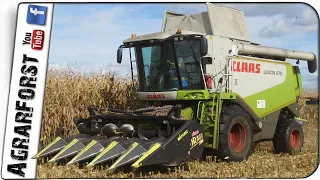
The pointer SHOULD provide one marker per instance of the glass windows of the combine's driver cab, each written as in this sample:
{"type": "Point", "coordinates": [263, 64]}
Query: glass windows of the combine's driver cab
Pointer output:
{"type": "Point", "coordinates": [169, 66]}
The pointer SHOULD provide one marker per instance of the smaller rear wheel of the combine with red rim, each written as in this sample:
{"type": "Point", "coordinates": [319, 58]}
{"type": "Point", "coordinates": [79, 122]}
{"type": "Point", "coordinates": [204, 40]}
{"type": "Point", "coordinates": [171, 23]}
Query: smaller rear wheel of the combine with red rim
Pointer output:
{"type": "Point", "coordinates": [288, 137]}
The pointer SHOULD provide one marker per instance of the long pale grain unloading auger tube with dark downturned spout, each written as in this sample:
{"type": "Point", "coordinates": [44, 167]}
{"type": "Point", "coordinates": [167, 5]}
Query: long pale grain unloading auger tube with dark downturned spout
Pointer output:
{"type": "Point", "coordinates": [249, 49]}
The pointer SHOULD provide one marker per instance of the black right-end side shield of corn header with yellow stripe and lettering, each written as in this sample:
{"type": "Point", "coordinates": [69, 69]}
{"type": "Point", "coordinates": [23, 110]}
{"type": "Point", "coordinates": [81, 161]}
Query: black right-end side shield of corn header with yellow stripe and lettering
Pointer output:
{"type": "Point", "coordinates": [184, 145]}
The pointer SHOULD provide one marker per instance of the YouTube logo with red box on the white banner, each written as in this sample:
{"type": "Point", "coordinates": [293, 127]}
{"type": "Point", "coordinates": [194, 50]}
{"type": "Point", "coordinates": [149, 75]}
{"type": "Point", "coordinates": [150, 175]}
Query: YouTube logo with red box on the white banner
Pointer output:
{"type": "Point", "coordinates": [35, 39]}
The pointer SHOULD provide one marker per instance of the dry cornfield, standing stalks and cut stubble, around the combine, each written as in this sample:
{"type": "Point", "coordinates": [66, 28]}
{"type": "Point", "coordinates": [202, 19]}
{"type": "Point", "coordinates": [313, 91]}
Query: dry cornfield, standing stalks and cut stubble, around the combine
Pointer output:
{"type": "Point", "coordinates": [69, 93]}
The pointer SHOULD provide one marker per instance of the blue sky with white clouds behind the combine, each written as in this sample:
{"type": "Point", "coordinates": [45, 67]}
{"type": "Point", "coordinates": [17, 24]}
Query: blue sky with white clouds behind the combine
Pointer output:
{"type": "Point", "coordinates": [86, 36]}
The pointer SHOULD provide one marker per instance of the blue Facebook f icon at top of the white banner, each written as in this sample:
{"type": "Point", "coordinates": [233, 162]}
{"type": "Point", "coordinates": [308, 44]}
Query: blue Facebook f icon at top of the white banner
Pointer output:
{"type": "Point", "coordinates": [36, 14]}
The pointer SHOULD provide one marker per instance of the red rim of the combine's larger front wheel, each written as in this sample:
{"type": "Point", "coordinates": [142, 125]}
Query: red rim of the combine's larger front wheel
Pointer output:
{"type": "Point", "coordinates": [237, 137]}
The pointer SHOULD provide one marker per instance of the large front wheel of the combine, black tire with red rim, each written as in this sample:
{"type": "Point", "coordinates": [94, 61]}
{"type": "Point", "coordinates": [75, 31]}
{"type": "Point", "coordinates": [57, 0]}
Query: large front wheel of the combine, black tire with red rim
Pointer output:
{"type": "Point", "coordinates": [235, 134]}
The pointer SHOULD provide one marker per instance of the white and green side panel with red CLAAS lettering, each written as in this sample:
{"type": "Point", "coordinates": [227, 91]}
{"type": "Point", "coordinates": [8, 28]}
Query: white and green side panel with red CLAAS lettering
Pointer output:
{"type": "Point", "coordinates": [266, 86]}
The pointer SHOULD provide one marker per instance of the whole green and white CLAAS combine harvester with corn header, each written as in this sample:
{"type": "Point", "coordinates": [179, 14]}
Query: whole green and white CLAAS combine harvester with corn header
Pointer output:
{"type": "Point", "coordinates": [217, 91]}
